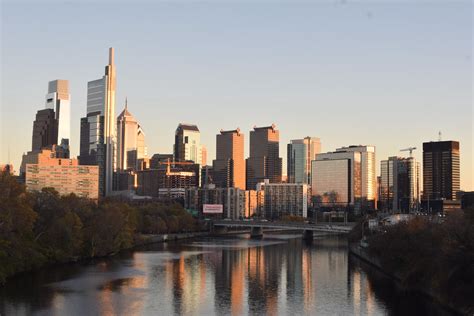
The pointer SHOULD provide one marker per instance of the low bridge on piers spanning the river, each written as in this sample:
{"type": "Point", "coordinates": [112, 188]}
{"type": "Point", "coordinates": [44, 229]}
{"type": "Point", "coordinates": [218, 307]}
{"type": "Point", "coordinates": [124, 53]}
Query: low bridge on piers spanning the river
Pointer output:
{"type": "Point", "coordinates": [256, 227]}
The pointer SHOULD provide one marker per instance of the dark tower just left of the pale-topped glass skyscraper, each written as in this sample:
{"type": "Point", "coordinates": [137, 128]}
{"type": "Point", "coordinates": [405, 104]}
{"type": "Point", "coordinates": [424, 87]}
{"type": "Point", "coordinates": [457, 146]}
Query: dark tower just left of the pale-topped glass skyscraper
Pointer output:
{"type": "Point", "coordinates": [45, 130]}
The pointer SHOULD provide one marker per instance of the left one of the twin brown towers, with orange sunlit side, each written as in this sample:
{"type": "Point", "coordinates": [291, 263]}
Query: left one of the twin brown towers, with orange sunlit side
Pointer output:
{"type": "Point", "coordinates": [229, 166]}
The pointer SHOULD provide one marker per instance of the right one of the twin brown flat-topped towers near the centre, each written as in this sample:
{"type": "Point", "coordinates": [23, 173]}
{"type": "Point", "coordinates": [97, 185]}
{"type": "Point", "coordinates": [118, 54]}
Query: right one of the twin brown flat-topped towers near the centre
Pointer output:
{"type": "Point", "coordinates": [264, 161]}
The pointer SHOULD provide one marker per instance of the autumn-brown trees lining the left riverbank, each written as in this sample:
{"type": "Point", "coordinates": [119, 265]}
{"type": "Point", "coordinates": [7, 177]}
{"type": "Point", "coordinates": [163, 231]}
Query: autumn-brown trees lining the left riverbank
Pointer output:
{"type": "Point", "coordinates": [44, 228]}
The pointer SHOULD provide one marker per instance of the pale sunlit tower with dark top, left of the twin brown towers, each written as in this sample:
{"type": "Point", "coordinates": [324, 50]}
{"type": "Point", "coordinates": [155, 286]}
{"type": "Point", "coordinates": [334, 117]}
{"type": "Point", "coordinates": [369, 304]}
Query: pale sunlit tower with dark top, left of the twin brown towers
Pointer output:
{"type": "Point", "coordinates": [187, 145]}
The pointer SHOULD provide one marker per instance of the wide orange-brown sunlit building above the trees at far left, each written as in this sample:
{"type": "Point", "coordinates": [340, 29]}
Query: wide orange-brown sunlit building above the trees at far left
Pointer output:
{"type": "Point", "coordinates": [64, 175]}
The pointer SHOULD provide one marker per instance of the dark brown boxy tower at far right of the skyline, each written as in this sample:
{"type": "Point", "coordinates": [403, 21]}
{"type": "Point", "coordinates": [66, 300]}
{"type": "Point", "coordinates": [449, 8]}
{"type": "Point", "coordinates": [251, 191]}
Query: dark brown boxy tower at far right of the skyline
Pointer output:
{"type": "Point", "coordinates": [441, 172]}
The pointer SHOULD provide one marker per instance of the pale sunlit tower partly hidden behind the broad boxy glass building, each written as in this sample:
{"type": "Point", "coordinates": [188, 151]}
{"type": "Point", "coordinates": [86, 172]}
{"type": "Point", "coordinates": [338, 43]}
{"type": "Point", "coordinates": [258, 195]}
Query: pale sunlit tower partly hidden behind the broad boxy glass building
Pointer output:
{"type": "Point", "coordinates": [368, 173]}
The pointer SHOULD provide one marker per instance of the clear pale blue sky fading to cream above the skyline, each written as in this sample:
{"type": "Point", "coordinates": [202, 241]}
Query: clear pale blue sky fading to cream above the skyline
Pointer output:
{"type": "Point", "coordinates": [388, 73]}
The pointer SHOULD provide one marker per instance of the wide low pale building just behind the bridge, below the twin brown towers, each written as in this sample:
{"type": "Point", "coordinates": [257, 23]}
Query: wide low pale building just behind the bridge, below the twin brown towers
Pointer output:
{"type": "Point", "coordinates": [284, 199]}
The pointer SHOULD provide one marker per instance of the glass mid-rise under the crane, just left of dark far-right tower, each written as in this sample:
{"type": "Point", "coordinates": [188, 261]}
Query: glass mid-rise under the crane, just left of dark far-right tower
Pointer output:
{"type": "Point", "coordinates": [399, 184]}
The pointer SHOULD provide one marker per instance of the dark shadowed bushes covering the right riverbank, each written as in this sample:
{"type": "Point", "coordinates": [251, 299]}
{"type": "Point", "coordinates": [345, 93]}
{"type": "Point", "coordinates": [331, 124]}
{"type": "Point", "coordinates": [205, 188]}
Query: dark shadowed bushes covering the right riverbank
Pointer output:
{"type": "Point", "coordinates": [431, 257]}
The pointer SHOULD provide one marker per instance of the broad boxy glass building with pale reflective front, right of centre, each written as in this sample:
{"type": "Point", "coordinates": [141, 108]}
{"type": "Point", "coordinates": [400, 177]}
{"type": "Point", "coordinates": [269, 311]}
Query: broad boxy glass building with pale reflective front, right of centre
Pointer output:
{"type": "Point", "coordinates": [336, 179]}
